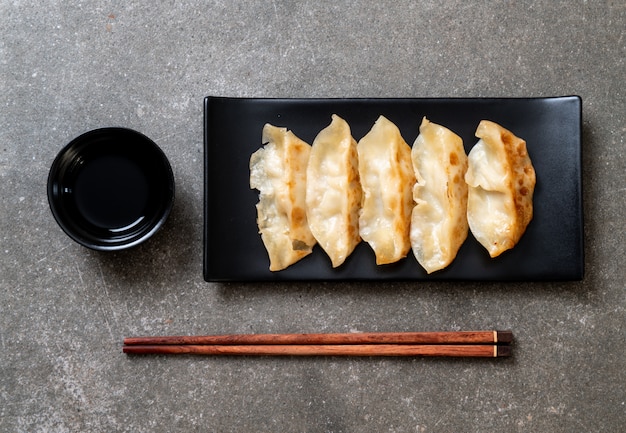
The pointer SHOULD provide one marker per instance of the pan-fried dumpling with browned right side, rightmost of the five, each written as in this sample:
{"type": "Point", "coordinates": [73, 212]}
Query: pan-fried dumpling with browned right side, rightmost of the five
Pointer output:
{"type": "Point", "coordinates": [501, 182]}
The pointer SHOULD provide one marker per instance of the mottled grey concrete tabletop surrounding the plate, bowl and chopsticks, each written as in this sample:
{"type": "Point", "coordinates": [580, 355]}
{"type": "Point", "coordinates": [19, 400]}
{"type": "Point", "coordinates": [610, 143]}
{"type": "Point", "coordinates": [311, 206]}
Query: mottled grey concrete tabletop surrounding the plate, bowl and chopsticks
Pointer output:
{"type": "Point", "coordinates": [67, 67]}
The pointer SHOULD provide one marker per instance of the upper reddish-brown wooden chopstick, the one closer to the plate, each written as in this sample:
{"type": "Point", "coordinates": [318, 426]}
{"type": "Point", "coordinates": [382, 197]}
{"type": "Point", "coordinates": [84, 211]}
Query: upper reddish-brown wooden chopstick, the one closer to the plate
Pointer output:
{"type": "Point", "coordinates": [446, 337]}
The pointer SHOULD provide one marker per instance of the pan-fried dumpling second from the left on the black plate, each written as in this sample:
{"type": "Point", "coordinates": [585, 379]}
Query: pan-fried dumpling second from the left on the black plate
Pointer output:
{"type": "Point", "coordinates": [333, 191]}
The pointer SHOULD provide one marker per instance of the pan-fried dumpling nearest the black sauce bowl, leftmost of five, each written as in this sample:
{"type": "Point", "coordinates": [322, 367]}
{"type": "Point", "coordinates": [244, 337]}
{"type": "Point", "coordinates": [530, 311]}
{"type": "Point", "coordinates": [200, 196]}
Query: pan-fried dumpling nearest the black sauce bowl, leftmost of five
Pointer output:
{"type": "Point", "coordinates": [278, 171]}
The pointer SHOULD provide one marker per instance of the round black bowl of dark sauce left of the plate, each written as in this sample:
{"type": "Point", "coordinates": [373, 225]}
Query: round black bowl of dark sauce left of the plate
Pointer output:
{"type": "Point", "coordinates": [111, 188]}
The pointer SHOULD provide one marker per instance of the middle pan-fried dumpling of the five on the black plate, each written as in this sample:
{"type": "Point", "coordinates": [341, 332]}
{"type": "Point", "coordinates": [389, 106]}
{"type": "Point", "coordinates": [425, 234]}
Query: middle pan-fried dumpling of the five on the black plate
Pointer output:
{"type": "Point", "coordinates": [387, 180]}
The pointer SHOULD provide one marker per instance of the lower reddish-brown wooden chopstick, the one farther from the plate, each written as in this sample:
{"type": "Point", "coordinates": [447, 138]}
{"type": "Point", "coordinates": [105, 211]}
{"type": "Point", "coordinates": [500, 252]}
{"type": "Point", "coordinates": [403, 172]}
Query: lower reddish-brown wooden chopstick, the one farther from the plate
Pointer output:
{"type": "Point", "coordinates": [447, 350]}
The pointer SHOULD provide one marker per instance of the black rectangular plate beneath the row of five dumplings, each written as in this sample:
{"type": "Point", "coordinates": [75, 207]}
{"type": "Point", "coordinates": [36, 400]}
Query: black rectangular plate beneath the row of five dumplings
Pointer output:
{"type": "Point", "coordinates": [551, 248]}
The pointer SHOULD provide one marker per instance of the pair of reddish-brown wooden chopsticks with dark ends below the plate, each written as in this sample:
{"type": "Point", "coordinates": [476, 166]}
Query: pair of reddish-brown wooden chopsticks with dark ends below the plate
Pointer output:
{"type": "Point", "coordinates": [449, 344]}
